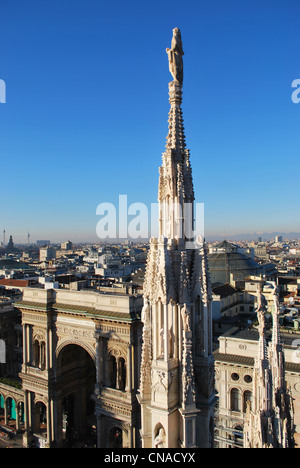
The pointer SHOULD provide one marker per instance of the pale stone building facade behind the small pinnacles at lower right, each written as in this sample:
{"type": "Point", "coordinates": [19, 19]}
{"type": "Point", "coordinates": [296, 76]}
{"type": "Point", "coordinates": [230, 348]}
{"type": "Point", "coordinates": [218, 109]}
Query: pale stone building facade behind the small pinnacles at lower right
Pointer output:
{"type": "Point", "coordinates": [237, 362]}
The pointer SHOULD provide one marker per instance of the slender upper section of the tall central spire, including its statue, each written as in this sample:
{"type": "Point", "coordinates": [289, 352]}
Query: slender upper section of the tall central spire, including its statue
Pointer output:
{"type": "Point", "coordinates": [175, 182]}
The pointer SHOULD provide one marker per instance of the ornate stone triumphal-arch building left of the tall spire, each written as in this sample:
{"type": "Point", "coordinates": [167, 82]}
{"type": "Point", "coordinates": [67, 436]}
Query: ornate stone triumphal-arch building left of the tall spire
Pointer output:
{"type": "Point", "coordinates": [80, 371]}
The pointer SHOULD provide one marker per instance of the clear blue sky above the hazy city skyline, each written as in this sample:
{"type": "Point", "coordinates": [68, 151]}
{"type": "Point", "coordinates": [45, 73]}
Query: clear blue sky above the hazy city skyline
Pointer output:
{"type": "Point", "coordinates": [87, 108]}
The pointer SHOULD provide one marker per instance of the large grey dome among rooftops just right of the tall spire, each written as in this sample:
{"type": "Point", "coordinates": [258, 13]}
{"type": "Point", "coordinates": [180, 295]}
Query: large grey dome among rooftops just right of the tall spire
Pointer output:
{"type": "Point", "coordinates": [226, 260]}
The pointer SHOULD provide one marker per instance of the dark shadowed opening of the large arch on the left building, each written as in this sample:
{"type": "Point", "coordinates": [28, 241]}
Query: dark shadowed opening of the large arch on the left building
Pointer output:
{"type": "Point", "coordinates": [77, 377]}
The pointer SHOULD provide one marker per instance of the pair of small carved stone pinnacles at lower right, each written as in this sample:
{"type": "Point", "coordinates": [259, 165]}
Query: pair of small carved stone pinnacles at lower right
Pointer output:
{"type": "Point", "coordinates": [269, 421]}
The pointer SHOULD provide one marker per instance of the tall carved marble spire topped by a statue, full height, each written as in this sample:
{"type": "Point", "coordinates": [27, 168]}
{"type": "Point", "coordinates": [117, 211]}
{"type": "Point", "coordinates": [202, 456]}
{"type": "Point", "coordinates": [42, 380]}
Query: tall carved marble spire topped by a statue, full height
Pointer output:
{"type": "Point", "coordinates": [177, 370]}
